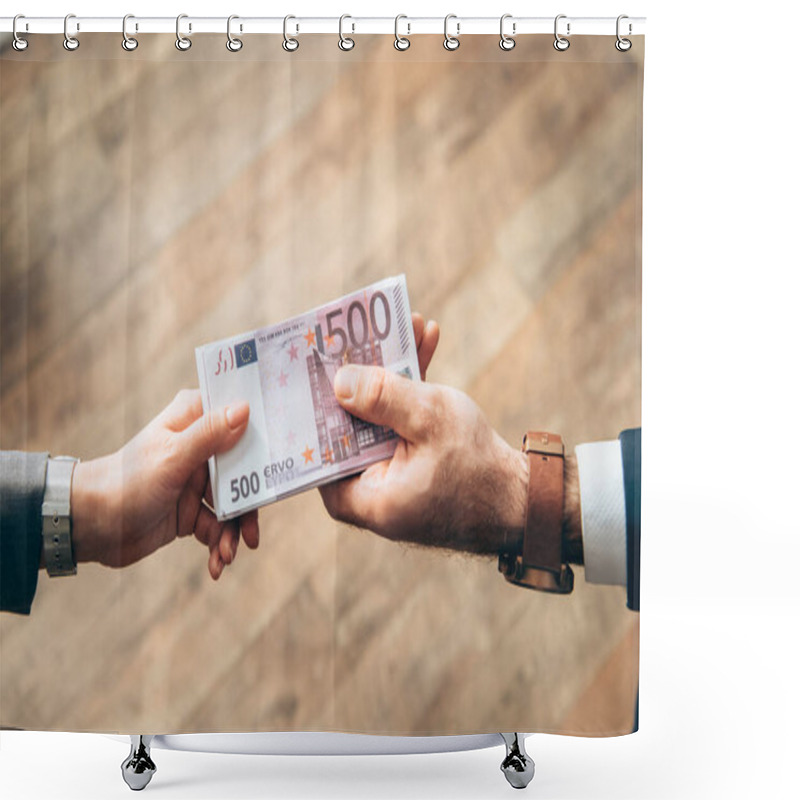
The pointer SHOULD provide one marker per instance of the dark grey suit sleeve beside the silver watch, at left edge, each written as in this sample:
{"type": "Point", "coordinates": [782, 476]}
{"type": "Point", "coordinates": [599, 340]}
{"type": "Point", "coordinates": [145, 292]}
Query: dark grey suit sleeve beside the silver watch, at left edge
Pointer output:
{"type": "Point", "coordinates": [22, 478]}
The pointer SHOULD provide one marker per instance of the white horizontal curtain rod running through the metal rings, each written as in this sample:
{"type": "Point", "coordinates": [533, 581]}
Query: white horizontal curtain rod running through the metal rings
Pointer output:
{"type": "Point", "coordinates": [407, 26]}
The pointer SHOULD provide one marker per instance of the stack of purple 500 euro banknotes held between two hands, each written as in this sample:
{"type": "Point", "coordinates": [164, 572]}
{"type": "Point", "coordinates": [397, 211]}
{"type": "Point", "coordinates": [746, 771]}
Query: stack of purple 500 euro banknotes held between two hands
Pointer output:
{"type": "Point", "coordinates": [298, 436]}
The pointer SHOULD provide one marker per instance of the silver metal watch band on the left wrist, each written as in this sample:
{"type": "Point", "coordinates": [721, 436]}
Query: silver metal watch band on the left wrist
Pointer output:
{"type": "Point", "coordinates": [56, 520]}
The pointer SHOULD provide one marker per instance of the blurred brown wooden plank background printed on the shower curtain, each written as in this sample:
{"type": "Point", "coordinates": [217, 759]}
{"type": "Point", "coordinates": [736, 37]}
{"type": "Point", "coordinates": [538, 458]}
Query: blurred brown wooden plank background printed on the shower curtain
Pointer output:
{"type": "Point", "coordinates": [153, 201]}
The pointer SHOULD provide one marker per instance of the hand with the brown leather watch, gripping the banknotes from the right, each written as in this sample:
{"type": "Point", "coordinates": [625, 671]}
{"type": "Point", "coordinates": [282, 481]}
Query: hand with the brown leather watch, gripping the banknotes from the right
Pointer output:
{"type": "Point", "coordinates": [452, 482]}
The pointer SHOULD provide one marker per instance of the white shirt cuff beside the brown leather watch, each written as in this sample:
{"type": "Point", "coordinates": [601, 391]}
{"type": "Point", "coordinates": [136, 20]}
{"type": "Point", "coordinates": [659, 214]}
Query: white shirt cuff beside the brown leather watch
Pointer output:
{"type": "Point", "coordinates": [602, 490]}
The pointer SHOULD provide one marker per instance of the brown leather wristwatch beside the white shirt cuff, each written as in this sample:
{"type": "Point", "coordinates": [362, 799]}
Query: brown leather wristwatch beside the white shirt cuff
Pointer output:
{"type": "Point", "coordinates": [540, 564]}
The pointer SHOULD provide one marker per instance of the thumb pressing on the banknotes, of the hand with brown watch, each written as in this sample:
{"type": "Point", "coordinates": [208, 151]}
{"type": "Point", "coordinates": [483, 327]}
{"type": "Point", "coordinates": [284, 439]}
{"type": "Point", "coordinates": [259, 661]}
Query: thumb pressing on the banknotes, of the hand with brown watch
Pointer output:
{"type": "Point", "coordinates": [383, 398]}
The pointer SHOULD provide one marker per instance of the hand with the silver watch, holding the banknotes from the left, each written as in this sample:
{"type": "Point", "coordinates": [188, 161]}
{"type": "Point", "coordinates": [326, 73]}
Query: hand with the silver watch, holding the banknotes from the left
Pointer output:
{"type": "Point", "coordinates": [127, 505]}
